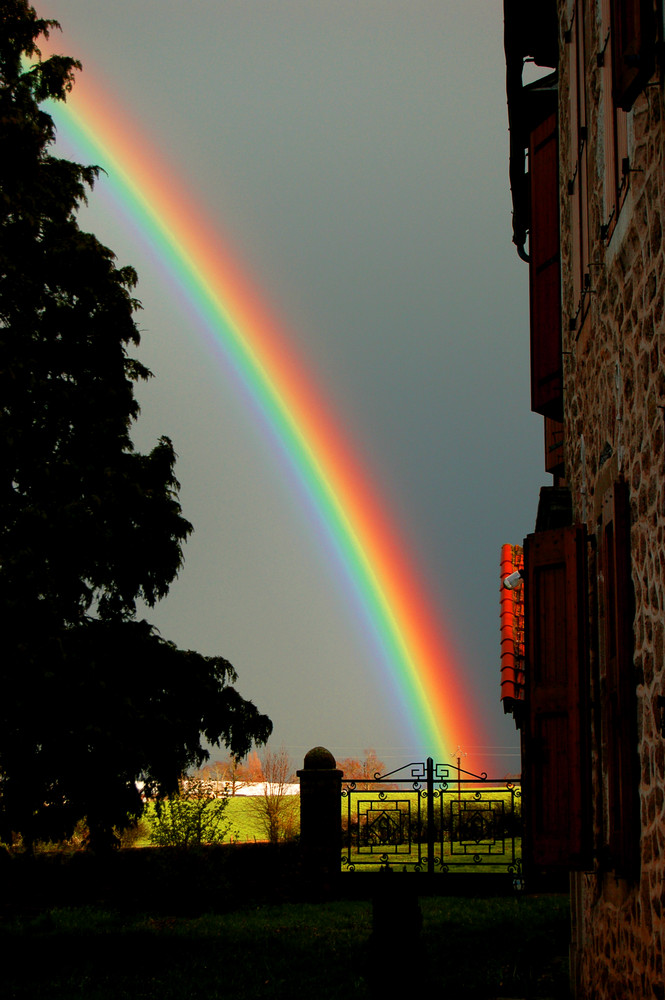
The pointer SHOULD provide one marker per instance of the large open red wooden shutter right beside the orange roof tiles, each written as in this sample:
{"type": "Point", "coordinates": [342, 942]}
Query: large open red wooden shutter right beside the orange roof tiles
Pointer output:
{"type": "Point", "coordinates": [556, 770]}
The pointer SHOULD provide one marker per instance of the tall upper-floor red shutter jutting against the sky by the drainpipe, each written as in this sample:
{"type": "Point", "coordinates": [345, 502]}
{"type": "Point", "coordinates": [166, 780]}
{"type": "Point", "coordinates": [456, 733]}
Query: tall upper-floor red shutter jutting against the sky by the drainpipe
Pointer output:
{"type": "Point", "coordinates": [545, 281]}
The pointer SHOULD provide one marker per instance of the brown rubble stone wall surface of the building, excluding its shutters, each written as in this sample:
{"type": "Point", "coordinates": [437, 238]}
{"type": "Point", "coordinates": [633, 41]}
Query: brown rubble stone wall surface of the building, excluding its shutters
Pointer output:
{"type": "Point", "coordinates": [614, 385]}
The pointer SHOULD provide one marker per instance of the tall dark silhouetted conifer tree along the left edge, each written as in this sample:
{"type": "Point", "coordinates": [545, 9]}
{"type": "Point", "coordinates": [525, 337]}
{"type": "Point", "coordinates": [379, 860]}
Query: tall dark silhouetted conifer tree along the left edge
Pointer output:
{"type": "Point", "coordinates": [92, 699]}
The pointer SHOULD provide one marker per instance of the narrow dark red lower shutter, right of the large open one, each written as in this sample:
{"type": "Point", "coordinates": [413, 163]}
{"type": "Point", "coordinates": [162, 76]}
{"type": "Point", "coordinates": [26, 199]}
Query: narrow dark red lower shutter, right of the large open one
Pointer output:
{"type": "Point", "coordinates": [620, 703]}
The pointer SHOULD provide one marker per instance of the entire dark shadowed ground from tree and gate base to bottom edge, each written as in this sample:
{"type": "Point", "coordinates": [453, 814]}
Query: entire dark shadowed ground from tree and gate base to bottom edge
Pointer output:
{"type": "Point", "coordinates": [243, 926]}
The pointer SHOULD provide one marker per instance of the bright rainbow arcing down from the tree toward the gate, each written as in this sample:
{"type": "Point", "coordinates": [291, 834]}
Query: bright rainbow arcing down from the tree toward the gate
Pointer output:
{"type": "Point", "coordinates": [418, 657]}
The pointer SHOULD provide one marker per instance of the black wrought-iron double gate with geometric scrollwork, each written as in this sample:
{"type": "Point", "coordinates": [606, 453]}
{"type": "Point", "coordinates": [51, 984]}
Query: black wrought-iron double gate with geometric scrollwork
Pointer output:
{"type": "Point", "coordinates": [432, 818]}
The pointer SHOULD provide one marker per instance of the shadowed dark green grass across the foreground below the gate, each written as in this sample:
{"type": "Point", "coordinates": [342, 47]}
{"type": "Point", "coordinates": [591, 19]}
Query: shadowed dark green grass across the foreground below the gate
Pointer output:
{"type": "Point", "coordinates": [467, 949]}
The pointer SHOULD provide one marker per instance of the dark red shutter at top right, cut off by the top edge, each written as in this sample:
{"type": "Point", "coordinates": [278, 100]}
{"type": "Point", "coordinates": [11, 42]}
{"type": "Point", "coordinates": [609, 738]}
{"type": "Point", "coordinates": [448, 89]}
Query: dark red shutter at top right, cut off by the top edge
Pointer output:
{"type": "Point", "coordinates": [632, 49]}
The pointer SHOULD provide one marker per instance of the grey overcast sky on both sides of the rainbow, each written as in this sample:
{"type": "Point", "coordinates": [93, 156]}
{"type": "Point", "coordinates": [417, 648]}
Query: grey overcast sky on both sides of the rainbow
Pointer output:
{"type": "Point", "coordinates": [355, 154]}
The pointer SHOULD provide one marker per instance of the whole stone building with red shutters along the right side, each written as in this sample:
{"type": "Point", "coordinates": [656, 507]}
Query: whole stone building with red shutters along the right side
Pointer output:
{"type": "Point", "coordinates": [586, 102]}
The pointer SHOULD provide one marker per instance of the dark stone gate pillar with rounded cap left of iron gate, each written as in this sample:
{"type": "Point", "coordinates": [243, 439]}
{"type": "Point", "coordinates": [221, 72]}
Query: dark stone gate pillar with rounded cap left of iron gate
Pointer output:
{"type": "Point", "coordinates": [320, 815]}
